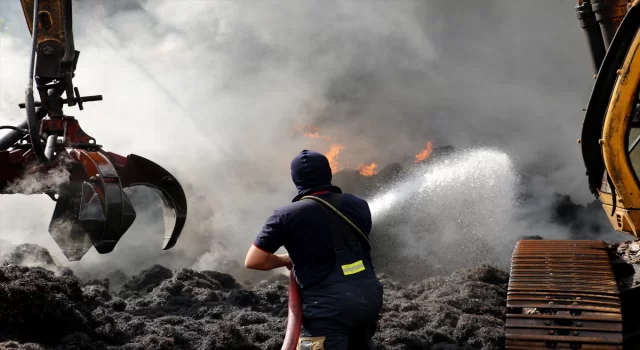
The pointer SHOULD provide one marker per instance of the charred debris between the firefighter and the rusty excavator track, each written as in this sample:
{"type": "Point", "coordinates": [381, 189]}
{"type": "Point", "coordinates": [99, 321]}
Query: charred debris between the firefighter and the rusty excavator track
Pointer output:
{"type": "Point", "coordinates": [462, 311]}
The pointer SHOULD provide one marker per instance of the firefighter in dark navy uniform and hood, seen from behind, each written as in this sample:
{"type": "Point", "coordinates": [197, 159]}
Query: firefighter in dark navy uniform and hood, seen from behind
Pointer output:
{"type": "Point", "coordinates": [326, 234]}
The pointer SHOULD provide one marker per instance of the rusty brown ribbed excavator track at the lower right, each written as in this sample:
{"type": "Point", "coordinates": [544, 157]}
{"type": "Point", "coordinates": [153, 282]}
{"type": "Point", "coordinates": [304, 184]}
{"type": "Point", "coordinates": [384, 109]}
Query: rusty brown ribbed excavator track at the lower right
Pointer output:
{"type": "Point", "coordinates": [563, 295]}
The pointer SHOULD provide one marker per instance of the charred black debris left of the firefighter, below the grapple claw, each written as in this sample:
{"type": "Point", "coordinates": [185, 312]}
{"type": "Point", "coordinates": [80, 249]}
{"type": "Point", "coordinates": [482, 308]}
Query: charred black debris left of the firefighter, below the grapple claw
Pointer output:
{"type": "Point", "coordinates": [157, 309]}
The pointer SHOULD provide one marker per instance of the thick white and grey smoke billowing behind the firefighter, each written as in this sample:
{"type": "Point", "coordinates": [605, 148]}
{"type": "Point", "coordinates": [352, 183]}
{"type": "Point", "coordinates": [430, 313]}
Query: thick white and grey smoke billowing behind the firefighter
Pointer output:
{"type": "Point", "coordinates": [213, 91]}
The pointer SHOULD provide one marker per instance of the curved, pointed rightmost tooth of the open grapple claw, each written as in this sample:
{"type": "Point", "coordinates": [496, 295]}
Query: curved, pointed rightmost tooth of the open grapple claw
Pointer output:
{"type": "Point", "coordinates": [139, 171]}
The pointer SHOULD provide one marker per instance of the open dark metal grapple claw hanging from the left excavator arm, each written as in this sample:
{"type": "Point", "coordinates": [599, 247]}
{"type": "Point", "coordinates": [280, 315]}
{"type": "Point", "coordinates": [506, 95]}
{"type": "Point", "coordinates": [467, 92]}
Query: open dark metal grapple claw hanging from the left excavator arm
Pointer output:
{"type": "Point", "coordinates": [93, 209]}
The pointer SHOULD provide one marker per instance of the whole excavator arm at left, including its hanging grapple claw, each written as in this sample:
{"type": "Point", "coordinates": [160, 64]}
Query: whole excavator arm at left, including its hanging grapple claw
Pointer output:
{"type": "Point", "coordinates": [92, 208]}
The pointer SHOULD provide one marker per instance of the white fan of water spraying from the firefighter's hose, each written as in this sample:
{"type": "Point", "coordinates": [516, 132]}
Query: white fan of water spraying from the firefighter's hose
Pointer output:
{"type": "Point", "coordinates": [447, 214]}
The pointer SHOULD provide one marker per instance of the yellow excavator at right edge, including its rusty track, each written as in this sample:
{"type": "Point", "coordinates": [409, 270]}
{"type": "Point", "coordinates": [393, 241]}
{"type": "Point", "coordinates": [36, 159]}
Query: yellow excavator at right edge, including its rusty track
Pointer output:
{"type": "Point", "coordinates": [573, 294]}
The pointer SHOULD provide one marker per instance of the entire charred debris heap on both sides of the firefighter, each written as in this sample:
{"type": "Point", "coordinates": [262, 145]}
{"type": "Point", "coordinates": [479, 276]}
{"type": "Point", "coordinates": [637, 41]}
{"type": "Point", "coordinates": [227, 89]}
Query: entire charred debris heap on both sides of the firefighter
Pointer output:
{"type": "Point", "coordinates": [187, 309]}
